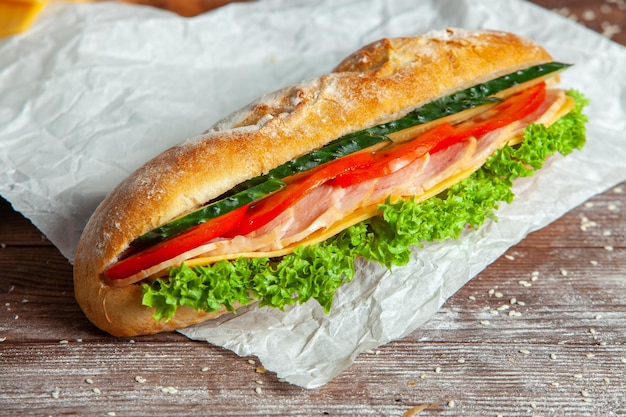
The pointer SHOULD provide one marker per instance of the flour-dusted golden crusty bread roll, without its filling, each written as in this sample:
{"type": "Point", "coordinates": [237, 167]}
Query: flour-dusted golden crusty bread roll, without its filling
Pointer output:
{"type": "Point", "coordinates": [376, 84]}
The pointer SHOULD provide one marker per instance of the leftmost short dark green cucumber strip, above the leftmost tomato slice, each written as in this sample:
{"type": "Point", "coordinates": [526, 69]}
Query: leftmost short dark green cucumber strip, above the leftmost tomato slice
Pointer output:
{"type": "Point", "coordinates": [210, 211]}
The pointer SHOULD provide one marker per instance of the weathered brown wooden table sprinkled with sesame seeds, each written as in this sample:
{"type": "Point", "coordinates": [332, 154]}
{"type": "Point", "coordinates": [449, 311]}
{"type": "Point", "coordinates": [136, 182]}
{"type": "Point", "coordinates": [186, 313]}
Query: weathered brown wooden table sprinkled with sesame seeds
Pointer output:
{"type": "Point", "coordinates": [541, 332]}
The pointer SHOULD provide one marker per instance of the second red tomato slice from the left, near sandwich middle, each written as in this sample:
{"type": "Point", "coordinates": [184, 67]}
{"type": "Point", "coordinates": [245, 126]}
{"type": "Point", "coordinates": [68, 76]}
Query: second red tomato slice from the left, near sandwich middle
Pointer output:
{"type": "Point", "coordinates": [269, 208]}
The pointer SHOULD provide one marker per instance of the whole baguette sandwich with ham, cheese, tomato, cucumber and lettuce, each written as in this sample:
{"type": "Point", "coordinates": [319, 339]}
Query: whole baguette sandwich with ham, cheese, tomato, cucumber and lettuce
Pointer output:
{"type": "Point", "coordinates": [408, 140]}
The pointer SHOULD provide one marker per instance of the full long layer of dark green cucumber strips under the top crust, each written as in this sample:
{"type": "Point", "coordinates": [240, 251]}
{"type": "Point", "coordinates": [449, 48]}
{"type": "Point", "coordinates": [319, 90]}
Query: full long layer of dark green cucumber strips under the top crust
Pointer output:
{"type": "Point", "coordinates": [243, 193]}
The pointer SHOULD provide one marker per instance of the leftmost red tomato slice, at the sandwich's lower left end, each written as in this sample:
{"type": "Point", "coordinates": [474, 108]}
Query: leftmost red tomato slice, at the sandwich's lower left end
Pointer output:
{"type": "Point", "coordinates": [176, 245]}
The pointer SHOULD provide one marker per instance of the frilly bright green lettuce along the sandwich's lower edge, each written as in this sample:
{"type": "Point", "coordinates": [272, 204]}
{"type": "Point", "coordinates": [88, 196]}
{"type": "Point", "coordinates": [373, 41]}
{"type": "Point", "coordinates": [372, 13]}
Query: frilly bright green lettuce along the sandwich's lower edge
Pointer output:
{"type": "Point", "coordinates": [317, 271]}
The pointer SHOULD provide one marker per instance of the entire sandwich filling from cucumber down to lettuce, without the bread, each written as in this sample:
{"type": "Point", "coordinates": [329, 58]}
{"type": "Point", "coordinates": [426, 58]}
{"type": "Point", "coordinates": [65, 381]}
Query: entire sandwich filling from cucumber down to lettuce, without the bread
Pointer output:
{"type": "Point", "coordinates": [295, 233]}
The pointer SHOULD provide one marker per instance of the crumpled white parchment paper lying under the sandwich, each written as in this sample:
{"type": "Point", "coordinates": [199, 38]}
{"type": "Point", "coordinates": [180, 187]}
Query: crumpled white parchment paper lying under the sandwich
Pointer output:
{"type": "Point", "coordinates": [94, 90]}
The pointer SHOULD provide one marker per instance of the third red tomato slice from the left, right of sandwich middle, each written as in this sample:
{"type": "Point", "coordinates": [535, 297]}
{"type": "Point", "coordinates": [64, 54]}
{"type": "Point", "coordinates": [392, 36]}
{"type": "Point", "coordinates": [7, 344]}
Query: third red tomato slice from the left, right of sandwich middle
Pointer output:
{"type": "Point", "coordinates": [398, 155]}
